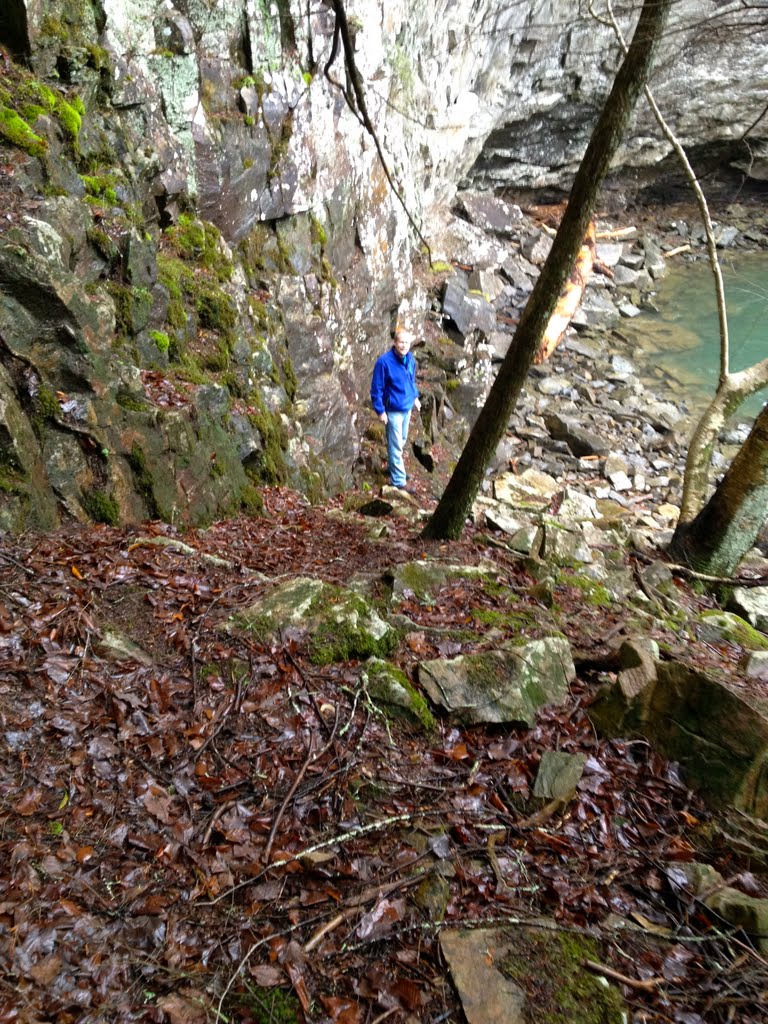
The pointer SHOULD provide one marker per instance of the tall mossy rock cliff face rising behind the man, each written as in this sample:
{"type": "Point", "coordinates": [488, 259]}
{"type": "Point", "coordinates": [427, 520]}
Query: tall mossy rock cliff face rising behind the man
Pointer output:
{"type": "Point", "coordinates": [200, 251]}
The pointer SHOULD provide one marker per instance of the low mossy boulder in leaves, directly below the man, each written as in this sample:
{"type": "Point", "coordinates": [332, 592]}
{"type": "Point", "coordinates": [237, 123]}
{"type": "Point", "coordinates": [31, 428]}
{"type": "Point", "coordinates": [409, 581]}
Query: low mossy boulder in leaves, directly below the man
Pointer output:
{"type": "Point", "coordinates": [339, 624]}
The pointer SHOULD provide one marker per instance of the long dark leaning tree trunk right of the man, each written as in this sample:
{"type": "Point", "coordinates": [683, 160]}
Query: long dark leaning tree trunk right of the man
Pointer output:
{"type": "Point", "coordinates": [450, 517]}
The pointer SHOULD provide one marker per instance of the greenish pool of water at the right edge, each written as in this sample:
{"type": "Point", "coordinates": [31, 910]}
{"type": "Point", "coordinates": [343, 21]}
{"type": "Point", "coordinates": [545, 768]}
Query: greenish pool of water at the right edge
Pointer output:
{"type": "Point", "coordinates": [681, 343]}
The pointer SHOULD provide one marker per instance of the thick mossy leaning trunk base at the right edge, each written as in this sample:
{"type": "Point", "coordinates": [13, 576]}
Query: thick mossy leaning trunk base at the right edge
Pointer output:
{"type": "Point", "coordinates": [731, 523]}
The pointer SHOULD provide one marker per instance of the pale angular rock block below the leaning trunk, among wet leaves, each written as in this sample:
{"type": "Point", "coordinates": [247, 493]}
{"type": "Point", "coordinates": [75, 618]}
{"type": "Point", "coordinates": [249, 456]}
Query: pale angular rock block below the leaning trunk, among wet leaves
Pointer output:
{"type": "Point", "coordinates": [505, 686]}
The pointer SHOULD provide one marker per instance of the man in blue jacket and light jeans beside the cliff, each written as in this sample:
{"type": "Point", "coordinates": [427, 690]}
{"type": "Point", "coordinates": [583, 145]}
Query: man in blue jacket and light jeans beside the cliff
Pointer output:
{"type": "Point", "coordinates": [394, 395]}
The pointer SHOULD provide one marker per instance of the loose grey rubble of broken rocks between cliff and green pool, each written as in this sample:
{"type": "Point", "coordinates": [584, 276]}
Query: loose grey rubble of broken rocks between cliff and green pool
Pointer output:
{"type": "Point", "coordinates": [595, 416]}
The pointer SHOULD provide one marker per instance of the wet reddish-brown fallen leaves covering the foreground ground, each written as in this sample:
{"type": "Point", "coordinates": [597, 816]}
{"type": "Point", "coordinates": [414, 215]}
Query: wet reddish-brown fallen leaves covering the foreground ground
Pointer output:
{"type": "Point", "coordinates": [199, 825]}
